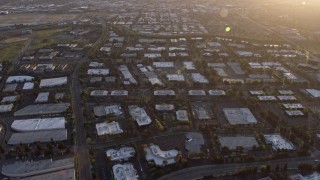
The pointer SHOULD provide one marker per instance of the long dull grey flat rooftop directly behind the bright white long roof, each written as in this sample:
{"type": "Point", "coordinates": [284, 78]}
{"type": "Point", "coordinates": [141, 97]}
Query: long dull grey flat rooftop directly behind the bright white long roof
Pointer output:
{"type": "Point", "coordinates": [41, 109]}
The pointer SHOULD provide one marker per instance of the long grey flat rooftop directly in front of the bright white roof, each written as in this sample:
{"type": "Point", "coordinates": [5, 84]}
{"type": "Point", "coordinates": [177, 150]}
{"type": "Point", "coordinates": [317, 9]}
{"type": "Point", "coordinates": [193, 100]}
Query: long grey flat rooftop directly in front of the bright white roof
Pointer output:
{"type": "Point", "coordinates": [41, 136]}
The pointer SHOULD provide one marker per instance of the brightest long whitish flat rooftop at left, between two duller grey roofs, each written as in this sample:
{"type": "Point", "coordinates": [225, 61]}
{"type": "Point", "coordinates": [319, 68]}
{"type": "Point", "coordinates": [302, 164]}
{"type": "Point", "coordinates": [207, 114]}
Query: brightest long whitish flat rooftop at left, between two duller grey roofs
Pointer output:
{"type": "Point", "coordinates": [27, 125]}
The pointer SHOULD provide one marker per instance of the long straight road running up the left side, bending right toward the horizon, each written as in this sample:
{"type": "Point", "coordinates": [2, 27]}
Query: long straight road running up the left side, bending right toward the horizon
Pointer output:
{"type": "Point", "coordinates": [81, 147]}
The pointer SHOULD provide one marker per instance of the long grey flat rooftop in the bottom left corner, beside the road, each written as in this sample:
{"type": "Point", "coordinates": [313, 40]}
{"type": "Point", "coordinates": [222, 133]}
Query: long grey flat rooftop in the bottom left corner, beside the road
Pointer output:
{"type": "Point", "coordinates": [31, 168]}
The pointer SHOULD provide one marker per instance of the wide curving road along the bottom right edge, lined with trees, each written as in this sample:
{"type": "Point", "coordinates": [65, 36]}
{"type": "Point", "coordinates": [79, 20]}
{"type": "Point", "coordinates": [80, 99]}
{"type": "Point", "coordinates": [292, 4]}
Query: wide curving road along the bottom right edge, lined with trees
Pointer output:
{"type": "Point", "coordinates": [217, 170]}
